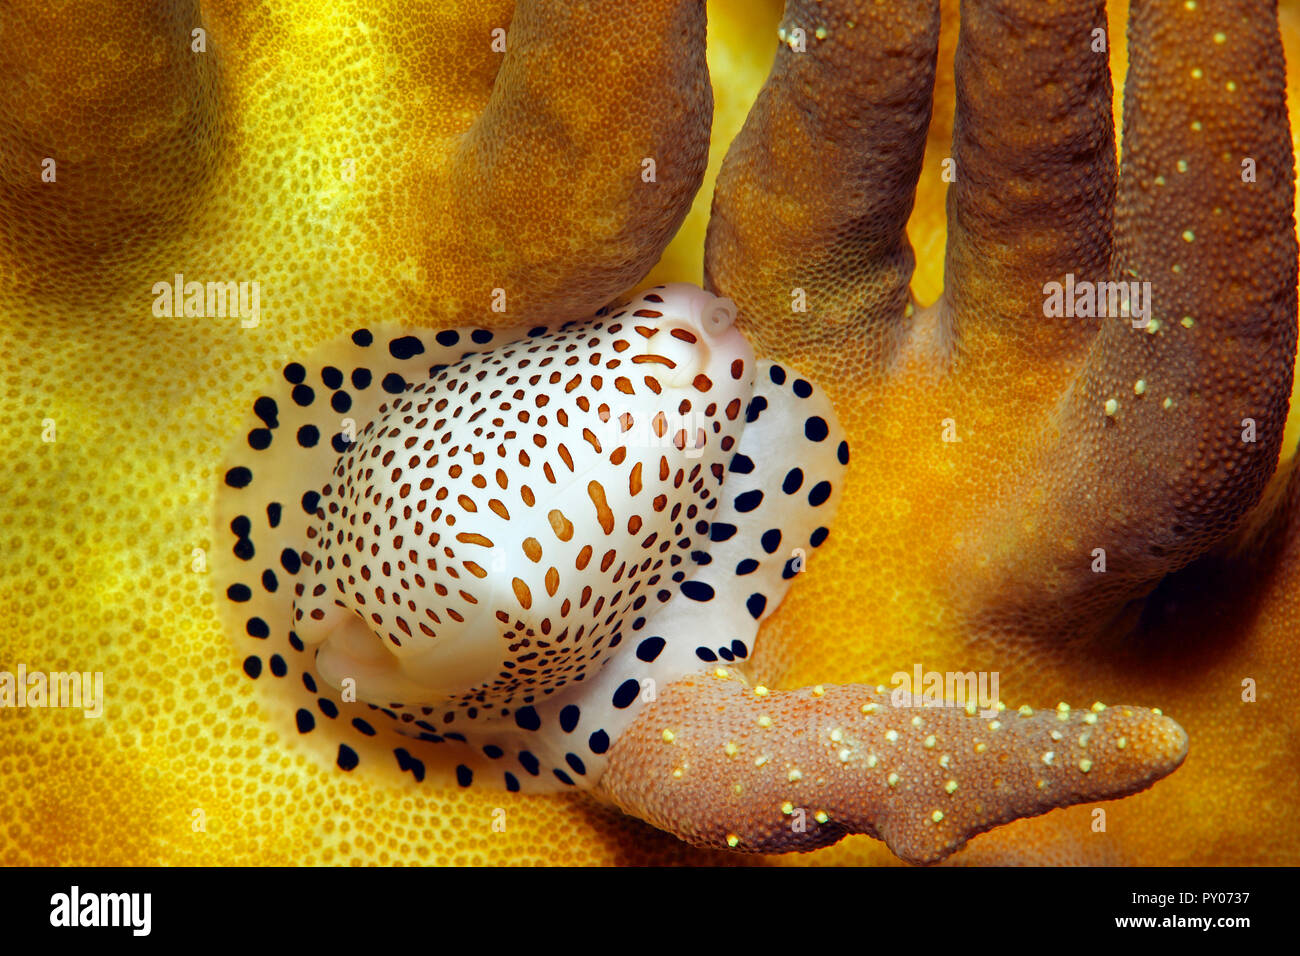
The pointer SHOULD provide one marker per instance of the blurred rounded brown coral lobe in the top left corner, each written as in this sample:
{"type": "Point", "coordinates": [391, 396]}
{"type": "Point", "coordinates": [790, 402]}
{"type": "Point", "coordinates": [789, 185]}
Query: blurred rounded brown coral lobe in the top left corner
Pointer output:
{"type": "Point", "coordinates": [109, 131]}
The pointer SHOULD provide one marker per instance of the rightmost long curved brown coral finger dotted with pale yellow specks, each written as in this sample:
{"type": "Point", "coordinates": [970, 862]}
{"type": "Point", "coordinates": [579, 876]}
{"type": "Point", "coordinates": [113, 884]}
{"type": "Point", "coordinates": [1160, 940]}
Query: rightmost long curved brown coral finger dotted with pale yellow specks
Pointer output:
{"type": "Point", "coordinates": [1175, 425]}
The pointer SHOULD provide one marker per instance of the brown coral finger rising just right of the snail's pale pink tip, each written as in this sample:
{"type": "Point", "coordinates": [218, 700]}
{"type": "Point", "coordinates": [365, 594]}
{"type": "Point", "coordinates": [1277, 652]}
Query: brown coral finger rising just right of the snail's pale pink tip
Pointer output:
{"type": "Point", "coordinates": [809, 224]}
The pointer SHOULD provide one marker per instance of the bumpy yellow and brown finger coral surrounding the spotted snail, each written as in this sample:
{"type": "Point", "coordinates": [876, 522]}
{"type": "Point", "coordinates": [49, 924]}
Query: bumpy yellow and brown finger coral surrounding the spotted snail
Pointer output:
{"type": "Point", "coordinates": [384, 163]}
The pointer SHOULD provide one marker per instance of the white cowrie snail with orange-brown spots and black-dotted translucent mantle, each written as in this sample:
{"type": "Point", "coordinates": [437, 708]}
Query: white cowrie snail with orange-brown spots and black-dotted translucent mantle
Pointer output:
{"type": "Point", "coordinates": [522, 535]}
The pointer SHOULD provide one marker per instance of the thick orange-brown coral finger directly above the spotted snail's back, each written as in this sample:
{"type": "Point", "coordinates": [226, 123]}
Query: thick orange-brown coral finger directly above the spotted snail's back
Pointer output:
{"type": "Point", "coordinates": [586, 159]}
